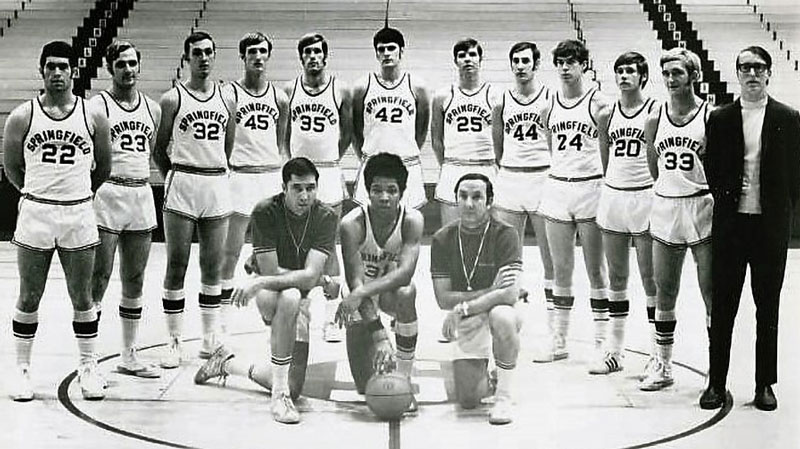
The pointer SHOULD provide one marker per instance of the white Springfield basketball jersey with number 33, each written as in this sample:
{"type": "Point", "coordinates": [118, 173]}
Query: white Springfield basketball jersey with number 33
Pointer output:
{"type": "Point", "coordinates": [679, 149]}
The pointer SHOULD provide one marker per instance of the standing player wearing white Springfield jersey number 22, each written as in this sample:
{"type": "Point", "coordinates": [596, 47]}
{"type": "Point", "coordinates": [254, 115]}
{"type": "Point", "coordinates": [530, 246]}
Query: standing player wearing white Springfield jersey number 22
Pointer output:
{"type": "Point", "coordinates": [57, 153]}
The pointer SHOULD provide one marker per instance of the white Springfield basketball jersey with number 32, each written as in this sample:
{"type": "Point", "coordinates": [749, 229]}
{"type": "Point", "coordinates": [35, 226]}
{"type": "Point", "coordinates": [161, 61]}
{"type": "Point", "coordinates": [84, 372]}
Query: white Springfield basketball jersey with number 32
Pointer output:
{"type": "Point", "coordinates": [198, 133]}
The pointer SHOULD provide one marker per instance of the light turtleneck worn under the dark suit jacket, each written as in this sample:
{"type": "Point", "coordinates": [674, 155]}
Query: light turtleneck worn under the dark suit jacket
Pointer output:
{"type": "Point", "coordinates": [752, 123]}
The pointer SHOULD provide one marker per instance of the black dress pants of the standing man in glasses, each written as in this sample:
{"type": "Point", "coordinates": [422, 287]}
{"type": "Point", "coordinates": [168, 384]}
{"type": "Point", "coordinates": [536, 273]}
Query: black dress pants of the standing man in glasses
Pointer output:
{"type": "Point", "coordinates": [739, 240]}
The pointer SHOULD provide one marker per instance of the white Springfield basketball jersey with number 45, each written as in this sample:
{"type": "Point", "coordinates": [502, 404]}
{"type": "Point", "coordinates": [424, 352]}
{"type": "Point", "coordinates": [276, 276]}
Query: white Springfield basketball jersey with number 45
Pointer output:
{"type": "Point", "coordinates": [256, 140]}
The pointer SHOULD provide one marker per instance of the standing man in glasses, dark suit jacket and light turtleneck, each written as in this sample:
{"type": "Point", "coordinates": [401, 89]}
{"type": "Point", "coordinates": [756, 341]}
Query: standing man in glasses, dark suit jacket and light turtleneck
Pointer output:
{"type": "Point", "coordinates": [753, 168]}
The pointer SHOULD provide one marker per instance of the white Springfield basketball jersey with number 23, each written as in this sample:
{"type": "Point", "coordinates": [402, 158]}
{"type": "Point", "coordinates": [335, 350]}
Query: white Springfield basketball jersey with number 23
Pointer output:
{"type": "Point", "coordinates": [131, 133]}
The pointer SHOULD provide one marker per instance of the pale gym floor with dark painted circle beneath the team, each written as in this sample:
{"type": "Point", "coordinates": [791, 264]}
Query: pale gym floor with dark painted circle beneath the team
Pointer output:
{"type": "Point", "coordinates": [558, 405]}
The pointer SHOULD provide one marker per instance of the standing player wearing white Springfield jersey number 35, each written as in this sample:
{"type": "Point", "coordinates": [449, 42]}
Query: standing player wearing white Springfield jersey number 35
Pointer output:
{"type": "Point", "coordinates": [320, 129]}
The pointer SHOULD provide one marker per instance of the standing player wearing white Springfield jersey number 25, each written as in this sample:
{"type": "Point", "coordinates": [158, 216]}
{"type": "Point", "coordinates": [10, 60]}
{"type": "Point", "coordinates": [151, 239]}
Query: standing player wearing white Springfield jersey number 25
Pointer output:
{"type": "Point", "coordinates": [461, 126]}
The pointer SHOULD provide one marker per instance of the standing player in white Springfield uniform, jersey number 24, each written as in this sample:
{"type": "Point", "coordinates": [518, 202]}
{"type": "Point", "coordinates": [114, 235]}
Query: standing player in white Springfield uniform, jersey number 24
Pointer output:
{"type": "Point", "coordinates": [577, 119]}
